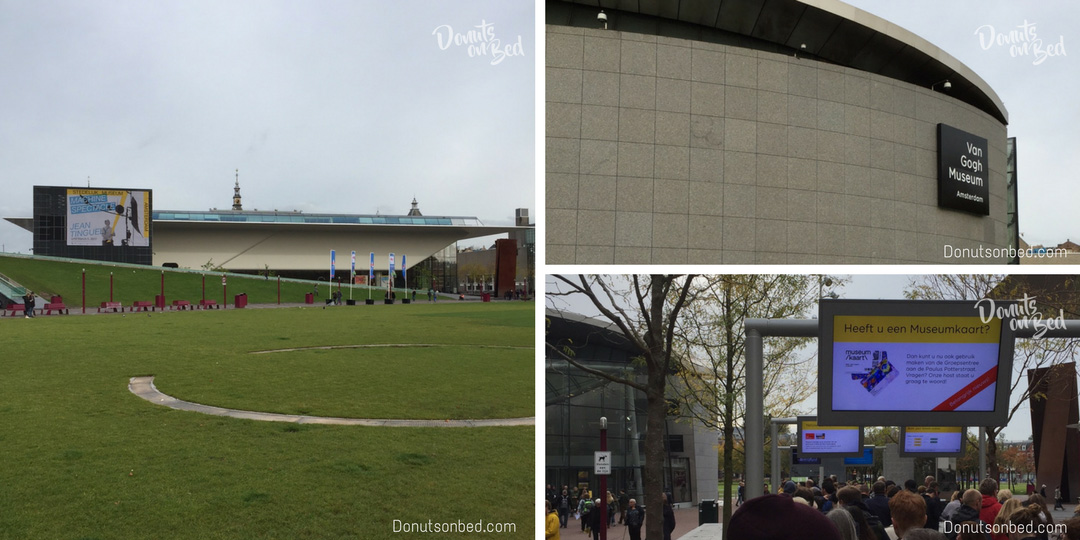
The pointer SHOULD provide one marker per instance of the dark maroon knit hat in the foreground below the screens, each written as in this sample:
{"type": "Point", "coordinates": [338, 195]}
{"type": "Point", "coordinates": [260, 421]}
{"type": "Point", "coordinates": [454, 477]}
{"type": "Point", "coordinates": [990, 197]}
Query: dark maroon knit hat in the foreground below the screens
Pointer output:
{"type": "Point", "coordinates": [775, 518]}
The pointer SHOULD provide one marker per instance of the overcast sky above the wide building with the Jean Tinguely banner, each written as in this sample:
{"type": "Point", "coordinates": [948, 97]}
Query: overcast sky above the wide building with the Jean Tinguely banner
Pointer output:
{"type": "Point", "coordinates": [336, 106]}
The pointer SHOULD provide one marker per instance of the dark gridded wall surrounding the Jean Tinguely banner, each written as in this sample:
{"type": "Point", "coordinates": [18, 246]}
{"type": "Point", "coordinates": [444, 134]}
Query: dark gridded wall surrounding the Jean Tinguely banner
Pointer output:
{"type": "Point", "coordinates": [51, 235]}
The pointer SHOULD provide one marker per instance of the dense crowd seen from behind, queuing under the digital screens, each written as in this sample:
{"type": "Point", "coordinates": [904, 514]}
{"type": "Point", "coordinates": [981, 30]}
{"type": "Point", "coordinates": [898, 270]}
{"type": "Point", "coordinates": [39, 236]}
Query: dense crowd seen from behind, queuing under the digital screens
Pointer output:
{"type": "Point", "coordinates": [888, 511]}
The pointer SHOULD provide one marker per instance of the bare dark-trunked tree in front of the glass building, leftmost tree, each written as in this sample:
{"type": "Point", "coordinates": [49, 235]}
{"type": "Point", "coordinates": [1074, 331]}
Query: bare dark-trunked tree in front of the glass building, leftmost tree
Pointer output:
{"type": "Point", "coordinates": [645, 312]}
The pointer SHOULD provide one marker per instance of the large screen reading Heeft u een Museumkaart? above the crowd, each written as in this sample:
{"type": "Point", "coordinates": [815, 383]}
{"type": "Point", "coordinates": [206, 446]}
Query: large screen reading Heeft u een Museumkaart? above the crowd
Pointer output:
{"type": "Point", "coordinates": [881, 361]}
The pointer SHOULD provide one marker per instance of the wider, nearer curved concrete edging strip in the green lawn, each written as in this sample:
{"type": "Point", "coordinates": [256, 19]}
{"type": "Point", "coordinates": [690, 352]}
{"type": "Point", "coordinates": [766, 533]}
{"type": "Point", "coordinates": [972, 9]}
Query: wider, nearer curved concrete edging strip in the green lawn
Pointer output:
{"type": "Point", "coordinates": [144, 388]}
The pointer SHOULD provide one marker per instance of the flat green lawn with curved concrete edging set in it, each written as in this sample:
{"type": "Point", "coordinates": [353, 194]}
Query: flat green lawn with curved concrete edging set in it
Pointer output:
{"type": "Point", "coordinates": [86, 460]}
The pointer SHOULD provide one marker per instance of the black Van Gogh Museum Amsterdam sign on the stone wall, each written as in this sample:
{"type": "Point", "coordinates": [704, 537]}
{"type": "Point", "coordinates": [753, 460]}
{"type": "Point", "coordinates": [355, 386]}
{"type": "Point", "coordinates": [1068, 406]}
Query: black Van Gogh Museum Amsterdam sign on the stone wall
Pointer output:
{"type": "Point", "coordinates": [963, 171]}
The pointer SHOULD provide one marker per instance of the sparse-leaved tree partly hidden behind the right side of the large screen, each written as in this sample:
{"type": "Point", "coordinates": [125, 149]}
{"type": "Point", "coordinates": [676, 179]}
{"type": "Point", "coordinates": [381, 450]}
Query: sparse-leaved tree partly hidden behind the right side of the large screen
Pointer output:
{"type": "Point", "coordinates": [1030, 354]}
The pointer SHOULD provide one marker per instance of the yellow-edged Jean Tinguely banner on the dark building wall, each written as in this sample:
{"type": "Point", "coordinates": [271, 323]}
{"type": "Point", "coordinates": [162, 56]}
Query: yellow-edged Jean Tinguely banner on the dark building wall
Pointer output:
{"type": "Point", "coordinates": [110, 218]}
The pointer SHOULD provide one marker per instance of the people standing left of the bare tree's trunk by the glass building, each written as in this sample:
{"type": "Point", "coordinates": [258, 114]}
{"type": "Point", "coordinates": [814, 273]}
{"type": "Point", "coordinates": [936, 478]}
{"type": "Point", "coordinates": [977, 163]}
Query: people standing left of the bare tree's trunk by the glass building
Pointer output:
{"type": "Point", "coordinates": [585, 507]}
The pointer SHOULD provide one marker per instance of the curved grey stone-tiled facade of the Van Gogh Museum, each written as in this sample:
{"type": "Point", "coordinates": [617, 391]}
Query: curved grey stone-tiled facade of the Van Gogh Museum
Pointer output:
{"type": "Point", "coordinates": [726, 147]}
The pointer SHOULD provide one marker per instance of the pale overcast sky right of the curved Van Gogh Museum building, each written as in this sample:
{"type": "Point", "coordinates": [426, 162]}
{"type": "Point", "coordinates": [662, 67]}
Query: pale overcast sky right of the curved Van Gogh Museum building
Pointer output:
{"type": "Point", "coordinates": [1043, 101]}
